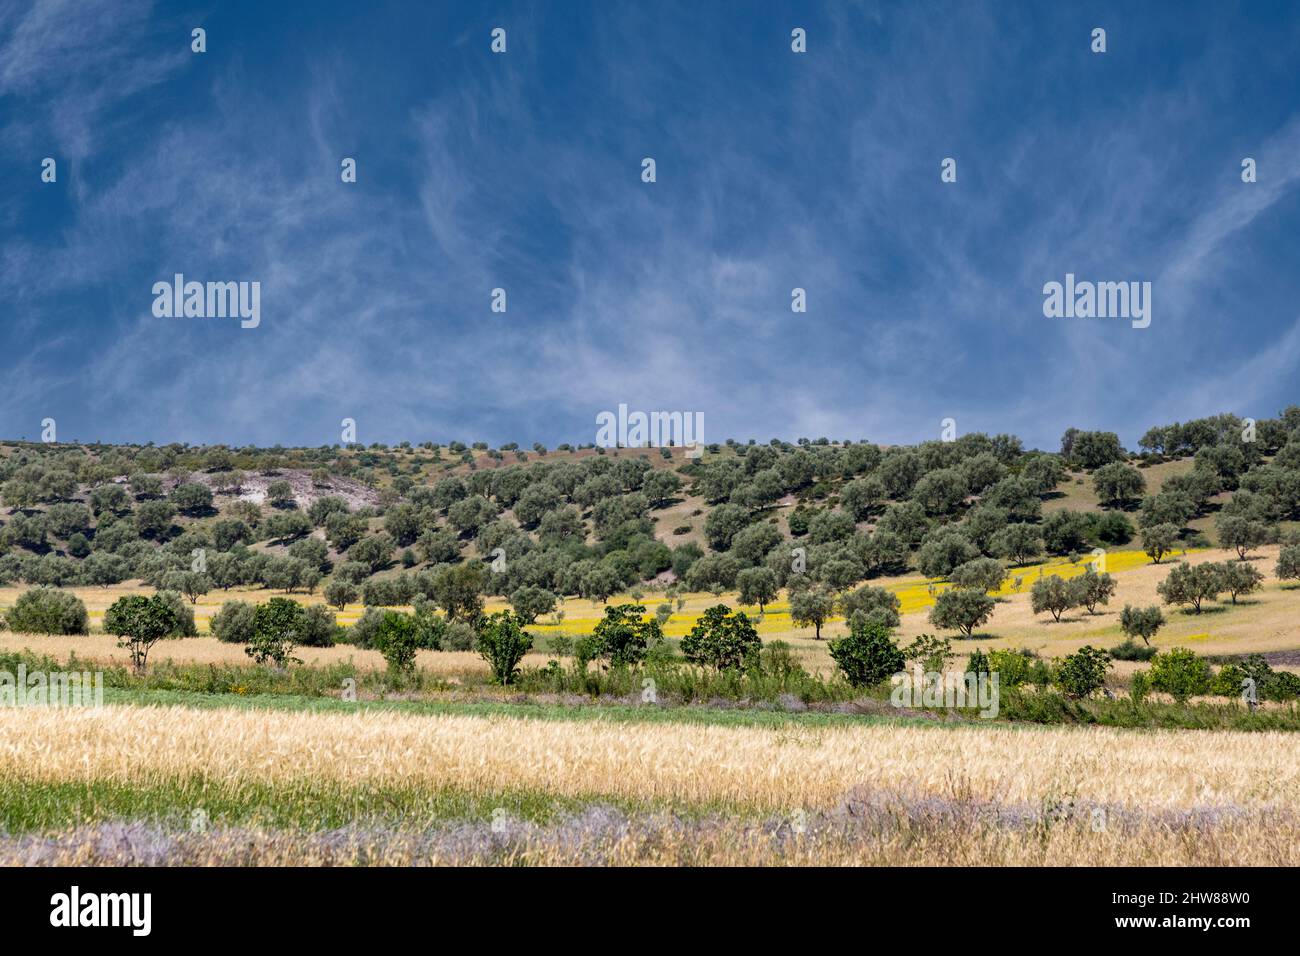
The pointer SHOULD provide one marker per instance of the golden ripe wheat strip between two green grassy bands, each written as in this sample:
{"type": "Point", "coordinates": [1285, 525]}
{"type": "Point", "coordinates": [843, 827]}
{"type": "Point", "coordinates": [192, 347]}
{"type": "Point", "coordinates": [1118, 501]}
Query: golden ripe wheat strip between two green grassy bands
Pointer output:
{"type": "Point", "coordinates": [778, 769]}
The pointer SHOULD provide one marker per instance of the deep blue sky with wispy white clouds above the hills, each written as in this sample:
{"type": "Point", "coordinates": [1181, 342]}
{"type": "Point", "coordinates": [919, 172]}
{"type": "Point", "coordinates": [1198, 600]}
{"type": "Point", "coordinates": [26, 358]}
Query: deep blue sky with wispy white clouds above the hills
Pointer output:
{"type": "Point", "coordinates": [522, 171]}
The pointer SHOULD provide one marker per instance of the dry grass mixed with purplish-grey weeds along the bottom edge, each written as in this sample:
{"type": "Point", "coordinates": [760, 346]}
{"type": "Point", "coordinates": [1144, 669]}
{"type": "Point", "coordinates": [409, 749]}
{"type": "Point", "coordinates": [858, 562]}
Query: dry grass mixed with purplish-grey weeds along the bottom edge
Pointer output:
{"type": "Point", "coordinates": [890, 834]}
